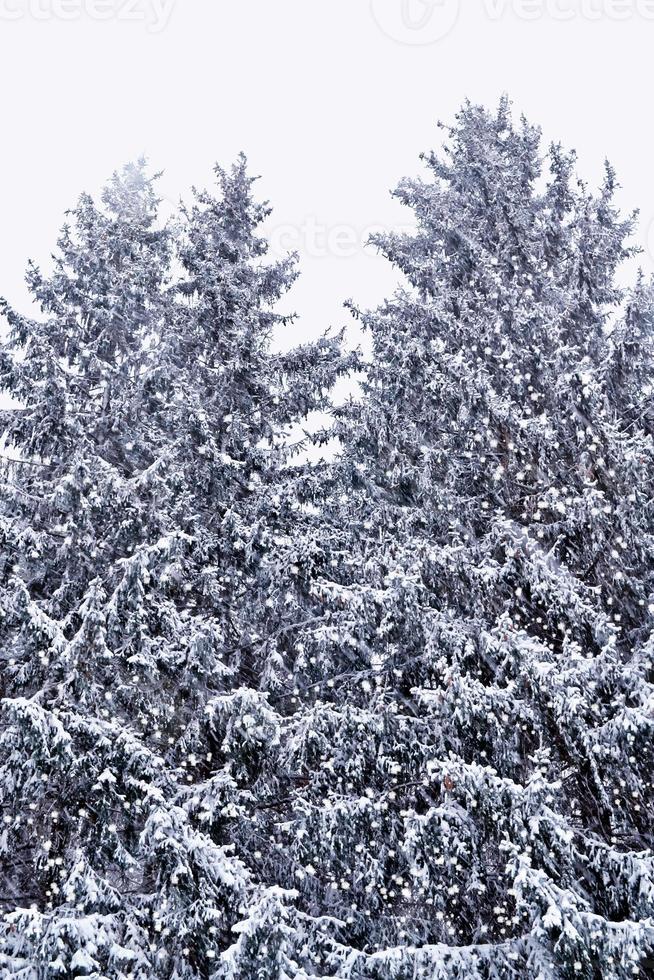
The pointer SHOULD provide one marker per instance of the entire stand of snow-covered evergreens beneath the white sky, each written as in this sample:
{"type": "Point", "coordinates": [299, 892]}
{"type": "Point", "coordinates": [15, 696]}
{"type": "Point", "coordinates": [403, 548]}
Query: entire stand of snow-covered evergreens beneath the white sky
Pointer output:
{"type": "Point", "coordinates": [384, 718]}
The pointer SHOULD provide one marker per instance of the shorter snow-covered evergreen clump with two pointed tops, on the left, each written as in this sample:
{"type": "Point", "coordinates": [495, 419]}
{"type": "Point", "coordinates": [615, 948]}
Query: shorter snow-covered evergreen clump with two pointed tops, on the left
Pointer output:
{"type": "Point", "coordinates": [145, 473]}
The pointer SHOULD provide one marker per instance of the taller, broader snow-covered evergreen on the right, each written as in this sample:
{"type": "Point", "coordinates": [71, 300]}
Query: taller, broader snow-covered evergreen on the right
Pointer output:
{"type": "Point", "coordinates": [466, 760]}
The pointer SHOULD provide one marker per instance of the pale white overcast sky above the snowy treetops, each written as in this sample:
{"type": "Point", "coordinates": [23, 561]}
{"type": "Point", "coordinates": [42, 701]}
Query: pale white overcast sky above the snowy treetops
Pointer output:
{"type": "Point", "coordinates": [332, 100]}
